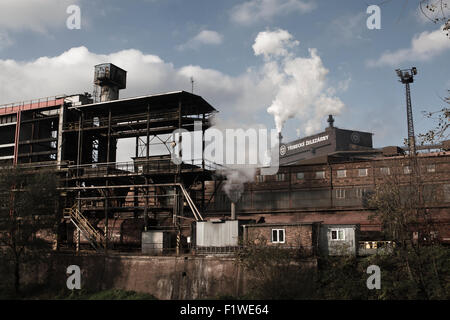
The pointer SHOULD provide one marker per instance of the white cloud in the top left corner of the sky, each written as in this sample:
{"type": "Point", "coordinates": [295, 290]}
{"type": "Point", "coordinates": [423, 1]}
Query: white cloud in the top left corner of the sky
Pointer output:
{"type": "Point", "coordinates": [36, 15]}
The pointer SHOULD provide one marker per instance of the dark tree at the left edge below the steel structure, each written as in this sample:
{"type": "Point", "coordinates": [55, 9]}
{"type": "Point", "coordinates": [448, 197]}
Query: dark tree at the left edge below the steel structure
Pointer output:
{"type": "Point", "coordinates": [27, 212]}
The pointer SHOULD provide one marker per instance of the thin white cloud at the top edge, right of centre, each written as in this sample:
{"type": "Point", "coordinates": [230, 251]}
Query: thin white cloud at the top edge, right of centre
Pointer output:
{"type": "Point", "coordinates": [256, 10]}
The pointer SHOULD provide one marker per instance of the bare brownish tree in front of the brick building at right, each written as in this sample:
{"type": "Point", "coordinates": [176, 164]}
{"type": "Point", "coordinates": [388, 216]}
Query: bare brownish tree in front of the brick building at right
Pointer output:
{"type": "Point", "coordinates": [403, 202]}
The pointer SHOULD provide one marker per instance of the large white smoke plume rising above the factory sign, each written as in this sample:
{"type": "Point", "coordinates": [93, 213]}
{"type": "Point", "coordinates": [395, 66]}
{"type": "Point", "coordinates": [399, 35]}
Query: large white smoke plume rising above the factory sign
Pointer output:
{"type": "Point", "coordinates": [301, 86]}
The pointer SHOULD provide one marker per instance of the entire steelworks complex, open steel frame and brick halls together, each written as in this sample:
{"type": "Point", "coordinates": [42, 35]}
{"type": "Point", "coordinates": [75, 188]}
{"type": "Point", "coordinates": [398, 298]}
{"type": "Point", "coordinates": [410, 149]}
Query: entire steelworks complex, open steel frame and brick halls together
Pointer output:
{"type": "Point", "coordinates": [319, 195]}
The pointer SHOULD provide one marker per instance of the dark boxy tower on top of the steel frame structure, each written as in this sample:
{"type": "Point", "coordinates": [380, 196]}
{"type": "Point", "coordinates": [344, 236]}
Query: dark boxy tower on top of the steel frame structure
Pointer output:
{"type": "Point", "coordinates": [108, 80]}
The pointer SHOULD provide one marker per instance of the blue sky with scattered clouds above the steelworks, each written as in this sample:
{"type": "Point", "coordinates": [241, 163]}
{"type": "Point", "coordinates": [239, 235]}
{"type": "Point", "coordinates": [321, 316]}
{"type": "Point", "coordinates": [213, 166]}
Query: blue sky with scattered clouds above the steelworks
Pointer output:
{"type": "Point", "coordinates": [213, 41]}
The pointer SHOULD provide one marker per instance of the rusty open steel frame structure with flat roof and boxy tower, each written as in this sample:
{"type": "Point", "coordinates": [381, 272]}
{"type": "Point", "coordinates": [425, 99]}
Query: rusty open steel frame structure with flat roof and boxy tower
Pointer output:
{"type": "Point", "coordinates": [78, 137]}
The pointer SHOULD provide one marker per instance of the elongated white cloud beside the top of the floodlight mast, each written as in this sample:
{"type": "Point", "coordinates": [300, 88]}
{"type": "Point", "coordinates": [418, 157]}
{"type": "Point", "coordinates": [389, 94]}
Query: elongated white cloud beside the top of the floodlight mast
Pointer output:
{"type": "Point", "coordinates": [424, 47]}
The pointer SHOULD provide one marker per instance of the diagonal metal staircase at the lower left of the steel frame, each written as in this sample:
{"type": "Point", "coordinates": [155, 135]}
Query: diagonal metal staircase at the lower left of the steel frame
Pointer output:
{"type": "Point", "coordinates": [95, 238]}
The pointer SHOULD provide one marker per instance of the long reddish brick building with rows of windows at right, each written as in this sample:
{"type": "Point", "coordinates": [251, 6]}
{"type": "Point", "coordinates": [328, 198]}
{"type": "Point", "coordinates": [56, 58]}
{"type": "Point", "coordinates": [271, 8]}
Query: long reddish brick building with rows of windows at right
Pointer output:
{"type": "Point", "coordinates": [334, 188]}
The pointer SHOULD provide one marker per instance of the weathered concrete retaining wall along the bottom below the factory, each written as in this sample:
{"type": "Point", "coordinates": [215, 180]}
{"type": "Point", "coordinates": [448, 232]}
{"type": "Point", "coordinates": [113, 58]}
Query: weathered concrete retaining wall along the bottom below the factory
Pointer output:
{"type": "Point", "coordinates": [165, 277]}
